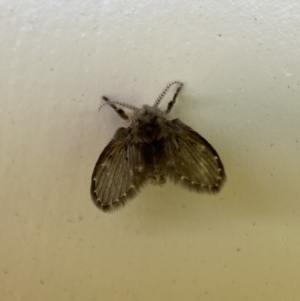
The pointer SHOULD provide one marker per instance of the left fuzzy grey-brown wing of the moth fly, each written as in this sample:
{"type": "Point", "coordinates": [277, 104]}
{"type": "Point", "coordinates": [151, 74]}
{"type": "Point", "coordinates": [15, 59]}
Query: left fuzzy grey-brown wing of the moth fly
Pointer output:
{"type": "Point", "coordinates": [119, 173]}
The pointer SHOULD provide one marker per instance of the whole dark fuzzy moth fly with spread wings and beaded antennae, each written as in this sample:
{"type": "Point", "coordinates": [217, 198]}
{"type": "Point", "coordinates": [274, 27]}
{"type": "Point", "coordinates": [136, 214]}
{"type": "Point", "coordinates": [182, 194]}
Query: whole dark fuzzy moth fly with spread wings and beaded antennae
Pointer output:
{"type": "Point", "coordinates": [151, 149]}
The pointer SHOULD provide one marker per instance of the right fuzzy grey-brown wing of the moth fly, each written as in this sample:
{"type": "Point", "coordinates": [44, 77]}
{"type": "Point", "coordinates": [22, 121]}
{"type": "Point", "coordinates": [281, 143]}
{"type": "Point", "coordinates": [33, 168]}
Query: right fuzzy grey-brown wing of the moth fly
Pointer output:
{"type": "Point", "coordinates": [191, 160]}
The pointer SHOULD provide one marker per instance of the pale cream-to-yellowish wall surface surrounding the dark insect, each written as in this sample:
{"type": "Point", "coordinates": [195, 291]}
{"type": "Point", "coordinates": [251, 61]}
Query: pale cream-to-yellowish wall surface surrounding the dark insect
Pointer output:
{"type": "Point", "coordinates": [239, 61]}
